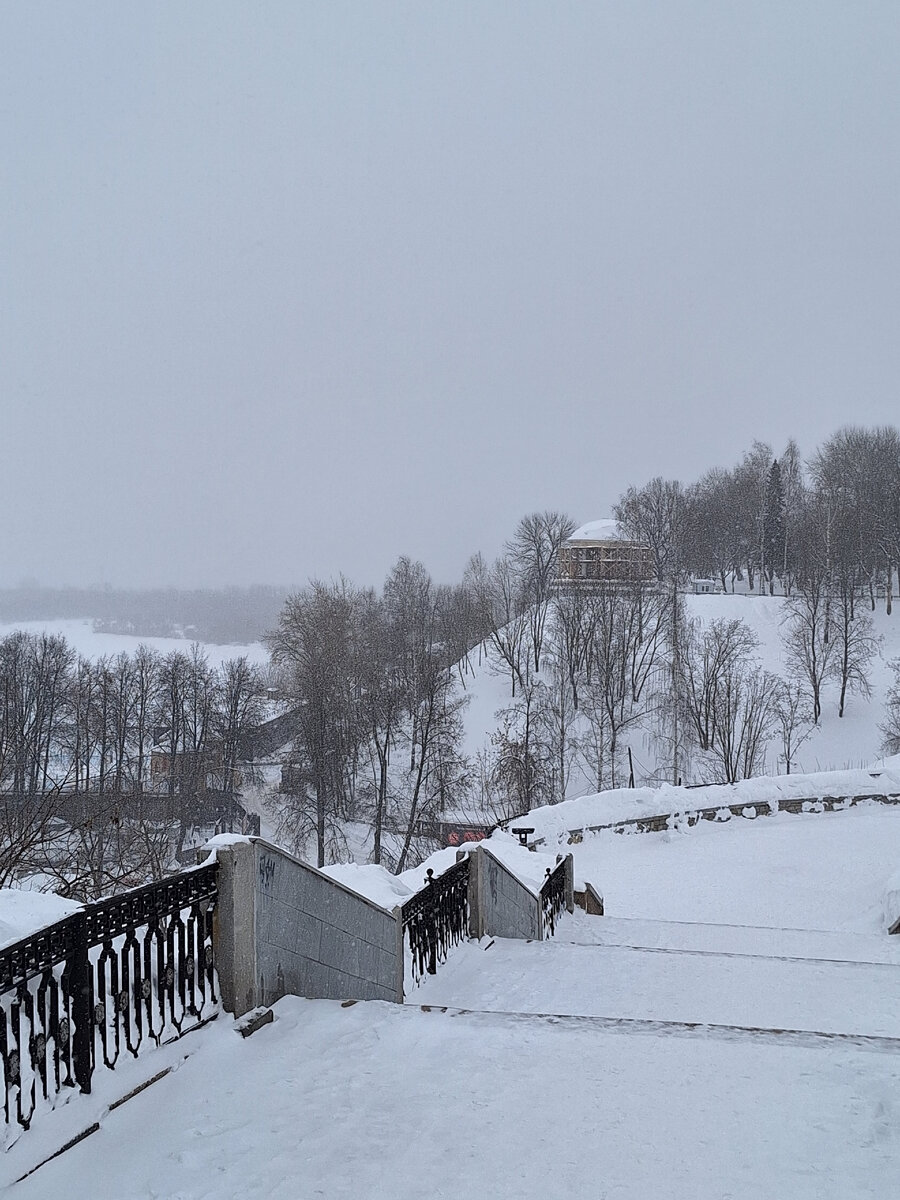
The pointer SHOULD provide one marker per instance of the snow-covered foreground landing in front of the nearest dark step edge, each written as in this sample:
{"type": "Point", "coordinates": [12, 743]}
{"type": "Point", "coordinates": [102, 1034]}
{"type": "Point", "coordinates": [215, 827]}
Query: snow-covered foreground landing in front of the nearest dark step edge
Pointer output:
{"type": "Point", "coordinates": [380, 1100]}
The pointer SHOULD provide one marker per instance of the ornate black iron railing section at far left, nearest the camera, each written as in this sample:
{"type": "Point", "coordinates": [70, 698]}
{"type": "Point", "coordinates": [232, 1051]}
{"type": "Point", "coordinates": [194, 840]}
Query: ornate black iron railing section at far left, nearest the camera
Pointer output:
{"type": "Point", "coordinates": [123, 974]}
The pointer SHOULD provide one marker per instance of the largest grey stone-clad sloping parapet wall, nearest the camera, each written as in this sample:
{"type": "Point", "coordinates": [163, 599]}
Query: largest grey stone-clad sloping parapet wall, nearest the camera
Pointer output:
{"type": "Point", "coordinates": [285, 928]}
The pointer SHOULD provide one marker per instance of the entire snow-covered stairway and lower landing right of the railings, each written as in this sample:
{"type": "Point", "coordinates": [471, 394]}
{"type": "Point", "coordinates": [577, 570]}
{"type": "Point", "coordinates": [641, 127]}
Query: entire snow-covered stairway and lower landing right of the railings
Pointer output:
{"type": "Point", "coordinates": [635, 1057]}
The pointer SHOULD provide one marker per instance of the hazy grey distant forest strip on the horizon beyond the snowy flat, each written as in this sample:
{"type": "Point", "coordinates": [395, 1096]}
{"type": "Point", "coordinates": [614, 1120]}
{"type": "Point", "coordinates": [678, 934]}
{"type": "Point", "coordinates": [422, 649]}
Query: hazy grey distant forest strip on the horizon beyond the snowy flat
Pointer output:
{"type": "Point", "coordinates": [223, 616]}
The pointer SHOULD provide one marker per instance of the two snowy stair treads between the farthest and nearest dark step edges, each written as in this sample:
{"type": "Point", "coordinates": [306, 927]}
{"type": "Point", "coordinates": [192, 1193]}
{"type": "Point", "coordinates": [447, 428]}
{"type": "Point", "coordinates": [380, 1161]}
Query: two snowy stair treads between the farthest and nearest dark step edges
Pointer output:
{"type": "Point", "coordinates": [723, 977]}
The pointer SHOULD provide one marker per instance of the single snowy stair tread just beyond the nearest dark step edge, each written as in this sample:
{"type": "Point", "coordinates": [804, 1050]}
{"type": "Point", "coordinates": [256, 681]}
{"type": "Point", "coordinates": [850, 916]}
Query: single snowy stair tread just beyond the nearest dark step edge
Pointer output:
{"type": "Point", "coordinates": [673, 985]}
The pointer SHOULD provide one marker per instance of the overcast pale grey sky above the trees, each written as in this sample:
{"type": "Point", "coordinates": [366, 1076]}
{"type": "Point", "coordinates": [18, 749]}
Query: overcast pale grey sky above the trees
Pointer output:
{"type": "Point", "coordinates": [295, 289]}
